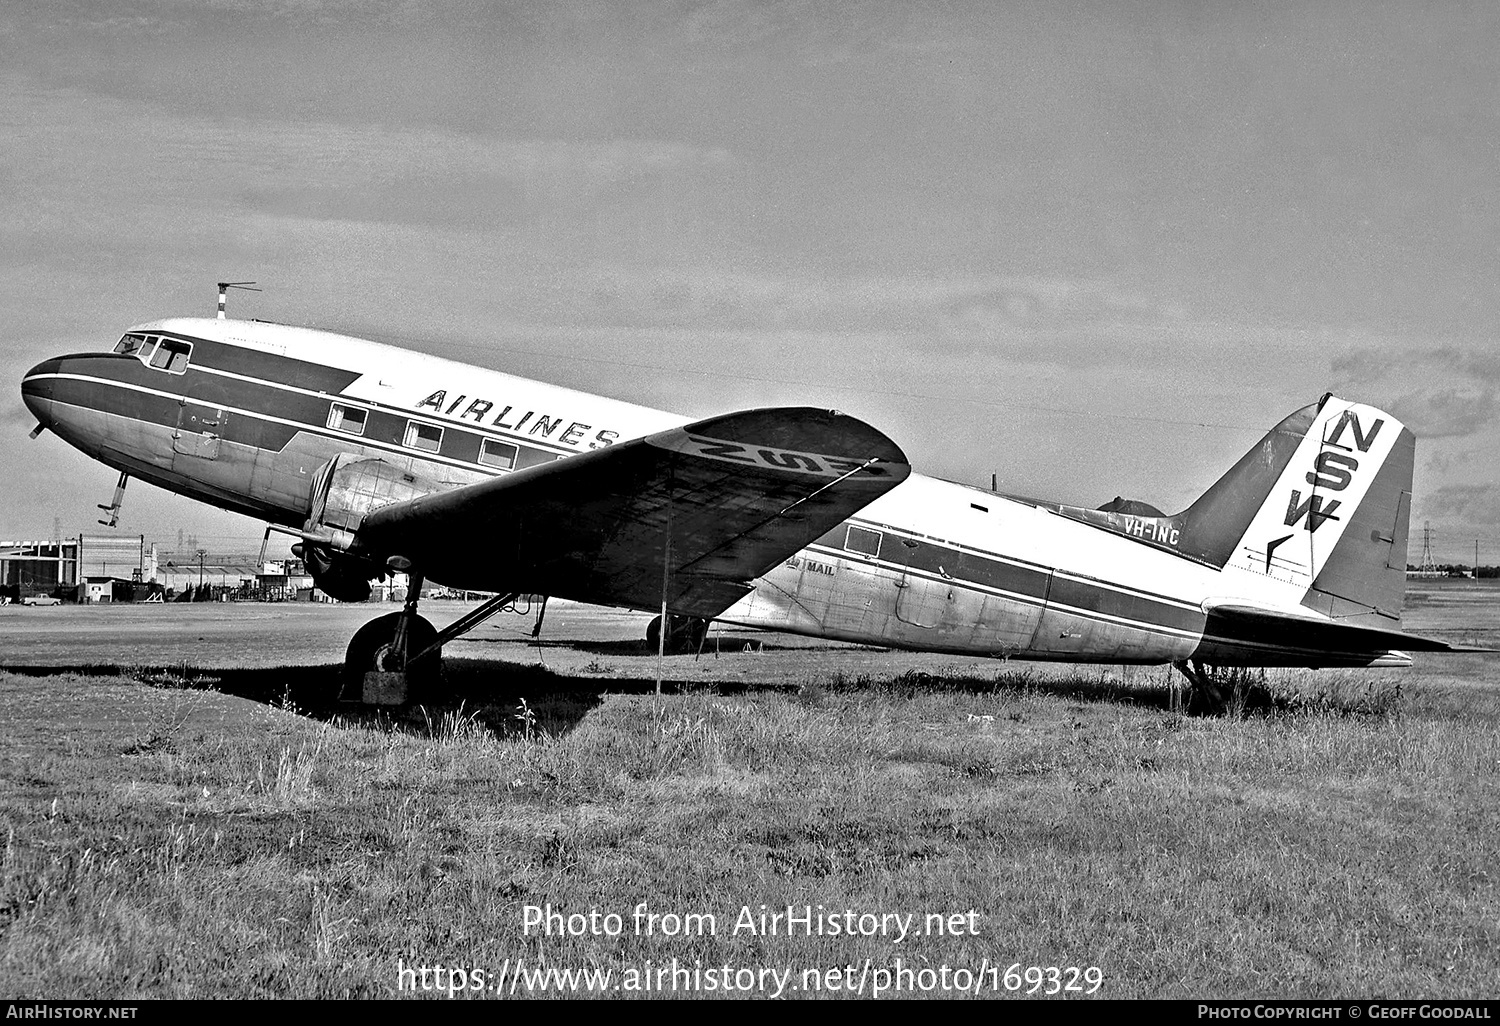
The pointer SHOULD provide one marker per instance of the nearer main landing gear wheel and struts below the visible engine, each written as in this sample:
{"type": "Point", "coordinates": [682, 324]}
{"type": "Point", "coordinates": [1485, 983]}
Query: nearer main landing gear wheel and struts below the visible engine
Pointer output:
{"type": "Point", "coordinates": [397, 658]}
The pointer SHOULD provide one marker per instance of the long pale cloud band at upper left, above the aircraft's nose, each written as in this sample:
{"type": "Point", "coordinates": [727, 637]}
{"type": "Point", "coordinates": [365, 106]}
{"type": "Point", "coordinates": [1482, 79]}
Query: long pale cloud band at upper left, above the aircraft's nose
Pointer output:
{"type": "Point", "coordinates": [95, 179]}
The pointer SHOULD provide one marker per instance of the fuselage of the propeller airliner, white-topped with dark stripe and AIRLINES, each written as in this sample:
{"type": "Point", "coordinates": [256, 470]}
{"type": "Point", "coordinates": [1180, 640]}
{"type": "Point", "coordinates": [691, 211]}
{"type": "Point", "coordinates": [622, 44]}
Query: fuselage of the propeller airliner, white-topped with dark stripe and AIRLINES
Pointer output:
{"type": "Point", "coordinates": [242, 415]}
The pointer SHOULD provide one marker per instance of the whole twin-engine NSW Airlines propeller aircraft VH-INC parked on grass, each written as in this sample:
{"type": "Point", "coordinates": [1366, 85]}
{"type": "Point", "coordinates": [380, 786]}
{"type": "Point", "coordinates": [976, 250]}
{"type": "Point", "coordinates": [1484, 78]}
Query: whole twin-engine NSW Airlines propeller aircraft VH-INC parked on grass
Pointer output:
{"type": "Point", "coordinates": [794, 520]}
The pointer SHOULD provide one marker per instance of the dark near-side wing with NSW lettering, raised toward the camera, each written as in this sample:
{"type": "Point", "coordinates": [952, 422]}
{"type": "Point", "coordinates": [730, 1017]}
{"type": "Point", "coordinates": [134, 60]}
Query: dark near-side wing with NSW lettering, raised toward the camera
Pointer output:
{"type": "Point", "coordinates": [718, 502]}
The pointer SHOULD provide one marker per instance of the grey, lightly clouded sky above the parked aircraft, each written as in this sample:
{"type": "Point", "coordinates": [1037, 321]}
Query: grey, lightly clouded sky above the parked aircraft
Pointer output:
{"type": "Point", "coordinates": [1094, 250]}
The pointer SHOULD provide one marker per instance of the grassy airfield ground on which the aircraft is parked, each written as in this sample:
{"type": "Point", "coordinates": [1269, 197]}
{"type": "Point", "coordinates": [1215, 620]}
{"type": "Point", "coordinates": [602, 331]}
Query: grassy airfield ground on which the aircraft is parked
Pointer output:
{"type": "Point", "coordinates": [211, 830]}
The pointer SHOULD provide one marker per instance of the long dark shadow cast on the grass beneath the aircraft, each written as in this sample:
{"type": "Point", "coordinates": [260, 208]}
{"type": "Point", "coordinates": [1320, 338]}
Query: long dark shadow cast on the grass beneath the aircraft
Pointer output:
{"type": "Point", "coordinates": [512, 700]}
